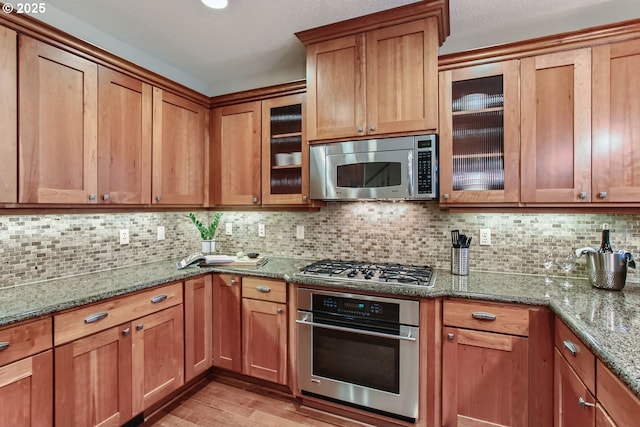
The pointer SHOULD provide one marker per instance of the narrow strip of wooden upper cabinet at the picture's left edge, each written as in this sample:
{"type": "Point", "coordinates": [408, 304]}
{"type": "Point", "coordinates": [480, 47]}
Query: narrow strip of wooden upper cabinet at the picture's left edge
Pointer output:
{"type": "Point", "coordinates": [8, 116]}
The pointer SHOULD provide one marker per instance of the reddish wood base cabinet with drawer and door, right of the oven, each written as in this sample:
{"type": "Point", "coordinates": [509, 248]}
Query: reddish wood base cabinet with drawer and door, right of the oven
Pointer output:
{"type": "Point", "coordinates": [495, 364]}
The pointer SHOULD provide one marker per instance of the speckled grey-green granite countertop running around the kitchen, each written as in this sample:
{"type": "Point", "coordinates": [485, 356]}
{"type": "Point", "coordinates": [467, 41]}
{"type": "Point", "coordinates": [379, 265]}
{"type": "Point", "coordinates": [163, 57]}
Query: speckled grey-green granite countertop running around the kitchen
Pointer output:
{"type": "Point", "coordinates": [608, 322]}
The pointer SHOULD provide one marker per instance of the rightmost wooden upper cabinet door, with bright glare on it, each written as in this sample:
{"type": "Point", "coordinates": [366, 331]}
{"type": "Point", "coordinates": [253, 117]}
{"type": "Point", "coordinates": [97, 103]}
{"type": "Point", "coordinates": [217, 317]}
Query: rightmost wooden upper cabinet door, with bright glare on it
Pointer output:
{"type": "Point", "coordinates": [616, 130]}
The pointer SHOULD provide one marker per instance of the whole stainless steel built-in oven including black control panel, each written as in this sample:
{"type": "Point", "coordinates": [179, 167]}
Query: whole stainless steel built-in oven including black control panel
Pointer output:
{"type": "Point", "coordinates": [359, 350]}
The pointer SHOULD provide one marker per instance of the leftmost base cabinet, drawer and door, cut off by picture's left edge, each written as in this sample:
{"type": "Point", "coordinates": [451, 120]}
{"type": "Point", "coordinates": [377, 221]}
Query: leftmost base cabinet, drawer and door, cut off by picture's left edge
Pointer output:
{"type": "Point", "coordinates": [26, 375]}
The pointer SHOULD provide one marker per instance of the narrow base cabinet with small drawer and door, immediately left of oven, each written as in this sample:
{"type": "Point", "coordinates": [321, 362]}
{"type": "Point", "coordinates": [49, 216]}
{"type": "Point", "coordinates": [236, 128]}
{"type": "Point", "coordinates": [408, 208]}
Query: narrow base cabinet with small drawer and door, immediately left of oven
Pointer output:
{"type": "Point", "coordinates": [264, 329]}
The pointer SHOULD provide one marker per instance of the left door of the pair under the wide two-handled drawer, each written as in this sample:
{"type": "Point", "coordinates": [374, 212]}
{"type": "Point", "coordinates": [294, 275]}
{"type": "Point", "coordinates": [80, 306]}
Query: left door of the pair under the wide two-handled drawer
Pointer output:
{"type": "Point", "coordinates": [93, 379]}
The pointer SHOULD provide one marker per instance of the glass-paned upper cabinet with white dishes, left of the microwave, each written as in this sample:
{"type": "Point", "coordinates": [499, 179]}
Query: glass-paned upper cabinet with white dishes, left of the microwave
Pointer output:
{"type": "Point", "coordinates": [285, 161]}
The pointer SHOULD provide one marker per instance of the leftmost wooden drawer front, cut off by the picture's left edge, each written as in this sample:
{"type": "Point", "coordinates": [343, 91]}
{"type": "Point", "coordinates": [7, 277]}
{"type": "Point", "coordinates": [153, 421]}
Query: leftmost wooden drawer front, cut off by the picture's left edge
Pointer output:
{"type": "Point", "coordinates": [25, 339]}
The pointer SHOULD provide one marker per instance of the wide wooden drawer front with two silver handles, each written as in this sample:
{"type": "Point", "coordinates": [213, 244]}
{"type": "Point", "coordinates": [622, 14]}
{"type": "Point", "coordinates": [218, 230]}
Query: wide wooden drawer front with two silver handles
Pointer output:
{"type": "Point", "coordinates": [88, 320]}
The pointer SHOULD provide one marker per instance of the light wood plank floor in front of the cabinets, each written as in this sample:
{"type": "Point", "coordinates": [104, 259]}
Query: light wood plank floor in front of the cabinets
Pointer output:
{"type": "Point", "coordinates": [219, 403]}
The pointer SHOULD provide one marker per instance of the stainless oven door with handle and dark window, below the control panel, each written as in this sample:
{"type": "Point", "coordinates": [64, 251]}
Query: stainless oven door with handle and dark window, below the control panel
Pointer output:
{"type": "Point", "coordinates": [366, 369]}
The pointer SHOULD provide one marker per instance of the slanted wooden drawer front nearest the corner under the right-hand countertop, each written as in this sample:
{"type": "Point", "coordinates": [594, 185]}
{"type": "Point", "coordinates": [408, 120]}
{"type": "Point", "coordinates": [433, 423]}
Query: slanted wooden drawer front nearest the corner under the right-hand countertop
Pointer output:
{"type": "Point", "coordinates": [579, 357]}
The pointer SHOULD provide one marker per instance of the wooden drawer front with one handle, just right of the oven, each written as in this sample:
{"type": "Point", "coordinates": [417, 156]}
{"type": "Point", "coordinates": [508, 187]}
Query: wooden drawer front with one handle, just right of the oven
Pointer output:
{"type": "Point", "coordinates": [487, 317]}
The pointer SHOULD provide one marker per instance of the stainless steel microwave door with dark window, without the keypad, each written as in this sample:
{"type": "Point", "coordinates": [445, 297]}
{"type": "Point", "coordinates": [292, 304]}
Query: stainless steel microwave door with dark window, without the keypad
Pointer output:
{"type": "Point", "coordinates": [372, 175]}
